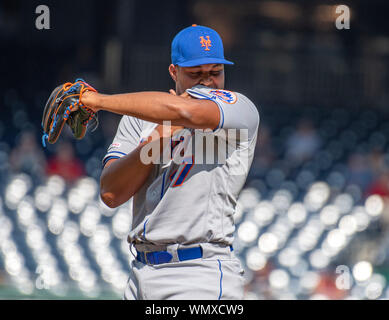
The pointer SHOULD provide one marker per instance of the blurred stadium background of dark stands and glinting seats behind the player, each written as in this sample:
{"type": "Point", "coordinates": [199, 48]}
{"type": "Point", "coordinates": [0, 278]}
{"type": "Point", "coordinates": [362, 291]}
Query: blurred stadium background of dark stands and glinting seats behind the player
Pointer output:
{"type": "Point", "coordinates": [314, 215]}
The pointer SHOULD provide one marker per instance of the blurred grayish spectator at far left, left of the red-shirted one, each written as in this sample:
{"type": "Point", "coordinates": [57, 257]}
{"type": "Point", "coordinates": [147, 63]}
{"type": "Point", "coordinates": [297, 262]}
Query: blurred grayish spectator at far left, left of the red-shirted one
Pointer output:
{"type": "Point", "coordinates": [27, 157]}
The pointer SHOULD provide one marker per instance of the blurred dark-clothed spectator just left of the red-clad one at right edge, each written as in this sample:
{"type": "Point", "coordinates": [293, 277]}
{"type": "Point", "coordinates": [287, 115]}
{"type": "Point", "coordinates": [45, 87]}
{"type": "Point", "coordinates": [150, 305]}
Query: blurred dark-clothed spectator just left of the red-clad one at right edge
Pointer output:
{"type": "Point", "coordinates": [359, 171]}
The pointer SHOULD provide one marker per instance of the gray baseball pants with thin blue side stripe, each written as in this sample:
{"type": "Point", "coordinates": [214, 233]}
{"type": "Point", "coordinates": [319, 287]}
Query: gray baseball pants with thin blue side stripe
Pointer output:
{"type": "Point", "coordinates": [218, 275]}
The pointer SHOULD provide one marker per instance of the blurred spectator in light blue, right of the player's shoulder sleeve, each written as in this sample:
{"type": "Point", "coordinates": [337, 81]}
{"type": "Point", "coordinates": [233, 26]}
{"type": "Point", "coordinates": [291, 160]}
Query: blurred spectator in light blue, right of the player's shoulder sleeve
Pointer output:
{"type": "Point", "coordinates": [303, 143]}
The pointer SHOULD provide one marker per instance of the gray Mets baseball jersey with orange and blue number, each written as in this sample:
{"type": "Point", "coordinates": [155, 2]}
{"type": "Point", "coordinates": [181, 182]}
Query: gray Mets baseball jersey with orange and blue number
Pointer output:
{"type": "Point", "coordinates": [187, 199]}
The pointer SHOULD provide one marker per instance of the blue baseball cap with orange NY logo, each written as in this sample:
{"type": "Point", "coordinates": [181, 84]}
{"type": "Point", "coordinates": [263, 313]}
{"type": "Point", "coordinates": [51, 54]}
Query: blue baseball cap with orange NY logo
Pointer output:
{"type": "Point", "coordinates": [197, 45]}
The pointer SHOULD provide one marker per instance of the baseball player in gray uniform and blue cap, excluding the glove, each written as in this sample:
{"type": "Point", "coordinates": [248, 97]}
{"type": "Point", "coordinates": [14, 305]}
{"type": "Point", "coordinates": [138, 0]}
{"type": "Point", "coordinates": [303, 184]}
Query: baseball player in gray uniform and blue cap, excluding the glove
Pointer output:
{"type": "Point", "coordinates": [183, 209]}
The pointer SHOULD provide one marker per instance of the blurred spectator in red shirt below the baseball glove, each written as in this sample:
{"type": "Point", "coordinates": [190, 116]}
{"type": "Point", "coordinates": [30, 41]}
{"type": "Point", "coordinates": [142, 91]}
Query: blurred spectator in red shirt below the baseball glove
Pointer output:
{"type": "Point", "coordinates": [65, 163]}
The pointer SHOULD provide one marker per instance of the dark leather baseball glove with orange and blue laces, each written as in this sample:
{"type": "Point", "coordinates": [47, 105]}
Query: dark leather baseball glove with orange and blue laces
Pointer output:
{"type": "Point", "coordinates": [63, 106]}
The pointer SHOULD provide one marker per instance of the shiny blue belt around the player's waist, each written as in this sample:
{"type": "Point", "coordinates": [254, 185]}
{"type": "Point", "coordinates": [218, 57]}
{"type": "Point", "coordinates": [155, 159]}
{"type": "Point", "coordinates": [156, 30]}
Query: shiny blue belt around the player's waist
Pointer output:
{"type": "Point", "coordinates": [159, 257]}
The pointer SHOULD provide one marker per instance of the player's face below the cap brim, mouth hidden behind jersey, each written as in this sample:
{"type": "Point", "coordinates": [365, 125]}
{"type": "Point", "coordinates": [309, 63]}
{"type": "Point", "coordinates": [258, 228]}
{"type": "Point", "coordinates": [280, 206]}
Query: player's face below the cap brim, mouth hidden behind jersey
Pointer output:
{"type": "Point", "coordinates": [209, 75]}
